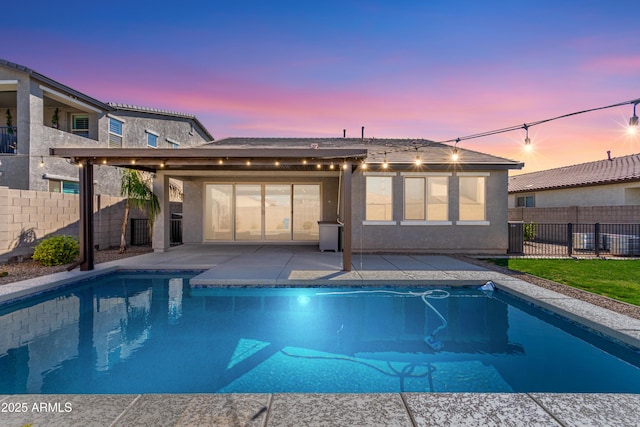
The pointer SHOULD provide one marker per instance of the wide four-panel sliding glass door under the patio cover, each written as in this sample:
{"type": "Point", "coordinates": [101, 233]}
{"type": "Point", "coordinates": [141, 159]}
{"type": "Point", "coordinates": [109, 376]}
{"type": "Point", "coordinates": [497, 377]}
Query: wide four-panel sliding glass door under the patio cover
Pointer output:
{"type": "Point", "coordinates": [262, 212]}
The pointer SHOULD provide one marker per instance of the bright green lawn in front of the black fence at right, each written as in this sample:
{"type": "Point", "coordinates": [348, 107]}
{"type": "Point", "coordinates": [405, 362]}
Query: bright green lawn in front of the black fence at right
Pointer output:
{"type": "Point", "coordinates": [617, 279]}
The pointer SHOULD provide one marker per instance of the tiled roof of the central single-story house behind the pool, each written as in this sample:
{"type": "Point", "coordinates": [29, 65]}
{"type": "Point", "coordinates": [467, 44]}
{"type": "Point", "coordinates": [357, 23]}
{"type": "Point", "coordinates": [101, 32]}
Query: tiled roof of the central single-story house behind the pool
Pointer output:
{"type": "Point", "coordinates": [397, 150]}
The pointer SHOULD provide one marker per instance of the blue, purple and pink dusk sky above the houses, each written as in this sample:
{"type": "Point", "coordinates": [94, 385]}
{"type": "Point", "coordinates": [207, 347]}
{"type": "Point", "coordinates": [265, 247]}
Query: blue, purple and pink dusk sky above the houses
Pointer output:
{"type": "Point", "coordinates": [403, 69]}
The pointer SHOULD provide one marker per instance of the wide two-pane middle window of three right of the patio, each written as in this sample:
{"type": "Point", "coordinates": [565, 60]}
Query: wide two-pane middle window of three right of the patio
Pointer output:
{"type": "Point", "coordinates": [426, 198]}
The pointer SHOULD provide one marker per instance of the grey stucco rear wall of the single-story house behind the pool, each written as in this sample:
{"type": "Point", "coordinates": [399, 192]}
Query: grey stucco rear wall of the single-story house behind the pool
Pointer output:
{"type": "Point", "coordinates": [490, 238]}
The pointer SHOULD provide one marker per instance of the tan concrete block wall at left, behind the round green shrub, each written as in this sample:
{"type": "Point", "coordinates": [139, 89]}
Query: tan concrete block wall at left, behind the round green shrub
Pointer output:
{"type": "Point", "coordinates": [27, 217]}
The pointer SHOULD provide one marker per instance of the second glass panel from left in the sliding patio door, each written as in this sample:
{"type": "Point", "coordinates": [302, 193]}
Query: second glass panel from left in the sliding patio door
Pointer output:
{"type": "Point", "coordinates": [248, 212]}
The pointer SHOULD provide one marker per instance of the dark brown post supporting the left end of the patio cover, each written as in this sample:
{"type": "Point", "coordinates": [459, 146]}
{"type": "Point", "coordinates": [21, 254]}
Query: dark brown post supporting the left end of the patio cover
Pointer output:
{"type": "Point", "coordinates": [86, 215]}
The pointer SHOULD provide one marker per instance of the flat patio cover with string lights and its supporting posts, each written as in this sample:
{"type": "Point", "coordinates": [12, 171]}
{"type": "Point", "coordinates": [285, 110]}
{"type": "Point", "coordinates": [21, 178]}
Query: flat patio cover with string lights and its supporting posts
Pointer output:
{"type": "Point", "coordinates": [195, 159]}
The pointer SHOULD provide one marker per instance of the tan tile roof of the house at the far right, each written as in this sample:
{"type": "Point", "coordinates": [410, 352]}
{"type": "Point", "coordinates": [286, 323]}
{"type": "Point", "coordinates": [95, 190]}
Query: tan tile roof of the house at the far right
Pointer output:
{"type": "Point", "coordinates": [619, 169]}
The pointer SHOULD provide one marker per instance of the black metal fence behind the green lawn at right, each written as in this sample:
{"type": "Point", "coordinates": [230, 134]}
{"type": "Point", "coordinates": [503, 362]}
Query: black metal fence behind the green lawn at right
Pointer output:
{"type": "Point", "coordinates": [574, 239]}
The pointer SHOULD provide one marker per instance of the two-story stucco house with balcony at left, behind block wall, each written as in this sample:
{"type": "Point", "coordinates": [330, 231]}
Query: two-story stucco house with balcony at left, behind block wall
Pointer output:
{"type": "Point", "coordinates": [39, 113]}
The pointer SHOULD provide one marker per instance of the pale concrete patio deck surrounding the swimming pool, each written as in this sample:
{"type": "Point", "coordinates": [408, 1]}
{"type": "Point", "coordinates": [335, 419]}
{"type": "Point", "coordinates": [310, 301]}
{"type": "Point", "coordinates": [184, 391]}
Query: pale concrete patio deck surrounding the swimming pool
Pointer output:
{"type": "Point", "coordinates": [305, 266]}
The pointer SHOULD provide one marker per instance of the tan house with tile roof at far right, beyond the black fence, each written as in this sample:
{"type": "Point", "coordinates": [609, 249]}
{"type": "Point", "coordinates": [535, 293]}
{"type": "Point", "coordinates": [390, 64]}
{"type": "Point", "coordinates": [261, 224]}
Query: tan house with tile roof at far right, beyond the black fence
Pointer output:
{"type": "Point", "coordinates": [605, 191]}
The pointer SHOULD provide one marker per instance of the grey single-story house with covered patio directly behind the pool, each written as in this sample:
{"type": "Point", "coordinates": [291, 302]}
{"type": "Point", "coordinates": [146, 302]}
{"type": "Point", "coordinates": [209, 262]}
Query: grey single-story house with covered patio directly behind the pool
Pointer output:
{"type": "Point", "coordinates": [270, 190]}
